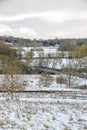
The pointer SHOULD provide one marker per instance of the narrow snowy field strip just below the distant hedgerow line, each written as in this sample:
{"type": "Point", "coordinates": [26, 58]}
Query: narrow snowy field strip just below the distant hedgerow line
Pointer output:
{"type": "Point", "coordinates": [59, 63]}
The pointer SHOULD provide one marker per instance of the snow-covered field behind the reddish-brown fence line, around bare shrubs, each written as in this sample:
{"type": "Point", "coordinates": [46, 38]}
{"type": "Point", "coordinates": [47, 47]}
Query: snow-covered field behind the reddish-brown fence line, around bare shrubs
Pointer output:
{"type": "Point", "coordinates": [38, 82]}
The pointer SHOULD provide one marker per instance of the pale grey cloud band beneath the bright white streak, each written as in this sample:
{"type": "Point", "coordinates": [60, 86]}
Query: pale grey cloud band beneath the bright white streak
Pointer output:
{"type": "Point", "coordinates": [44, 29]}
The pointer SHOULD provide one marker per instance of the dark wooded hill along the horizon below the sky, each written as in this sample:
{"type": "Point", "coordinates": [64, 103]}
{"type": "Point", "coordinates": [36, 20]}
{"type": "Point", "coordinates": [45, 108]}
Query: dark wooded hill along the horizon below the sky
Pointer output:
{"type": "Point", "coordinates": [49, 42]}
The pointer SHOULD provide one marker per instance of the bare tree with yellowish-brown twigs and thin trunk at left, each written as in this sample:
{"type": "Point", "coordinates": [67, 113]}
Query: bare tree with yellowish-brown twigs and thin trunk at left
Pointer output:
{"type": "Point", "coordinates": [12, 76]}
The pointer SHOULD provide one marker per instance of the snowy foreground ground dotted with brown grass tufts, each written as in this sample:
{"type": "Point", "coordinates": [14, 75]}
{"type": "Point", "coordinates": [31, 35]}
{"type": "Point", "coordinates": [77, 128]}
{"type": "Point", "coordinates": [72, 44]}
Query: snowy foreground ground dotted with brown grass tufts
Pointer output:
{"type": "Point", "coordinates": [45, 115]}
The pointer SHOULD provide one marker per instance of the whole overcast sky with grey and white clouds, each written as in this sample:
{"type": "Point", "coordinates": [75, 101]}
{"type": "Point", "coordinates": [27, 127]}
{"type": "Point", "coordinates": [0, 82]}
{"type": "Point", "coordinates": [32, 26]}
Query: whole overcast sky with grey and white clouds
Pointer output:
{"type": "Point", "coordinates": [44, 18]}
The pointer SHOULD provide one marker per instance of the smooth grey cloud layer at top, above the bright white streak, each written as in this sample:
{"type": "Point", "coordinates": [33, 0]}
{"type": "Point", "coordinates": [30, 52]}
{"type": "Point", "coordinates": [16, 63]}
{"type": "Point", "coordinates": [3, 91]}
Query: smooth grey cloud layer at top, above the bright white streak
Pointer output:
{"type": "Point", "coordinates": [13, 7]}
